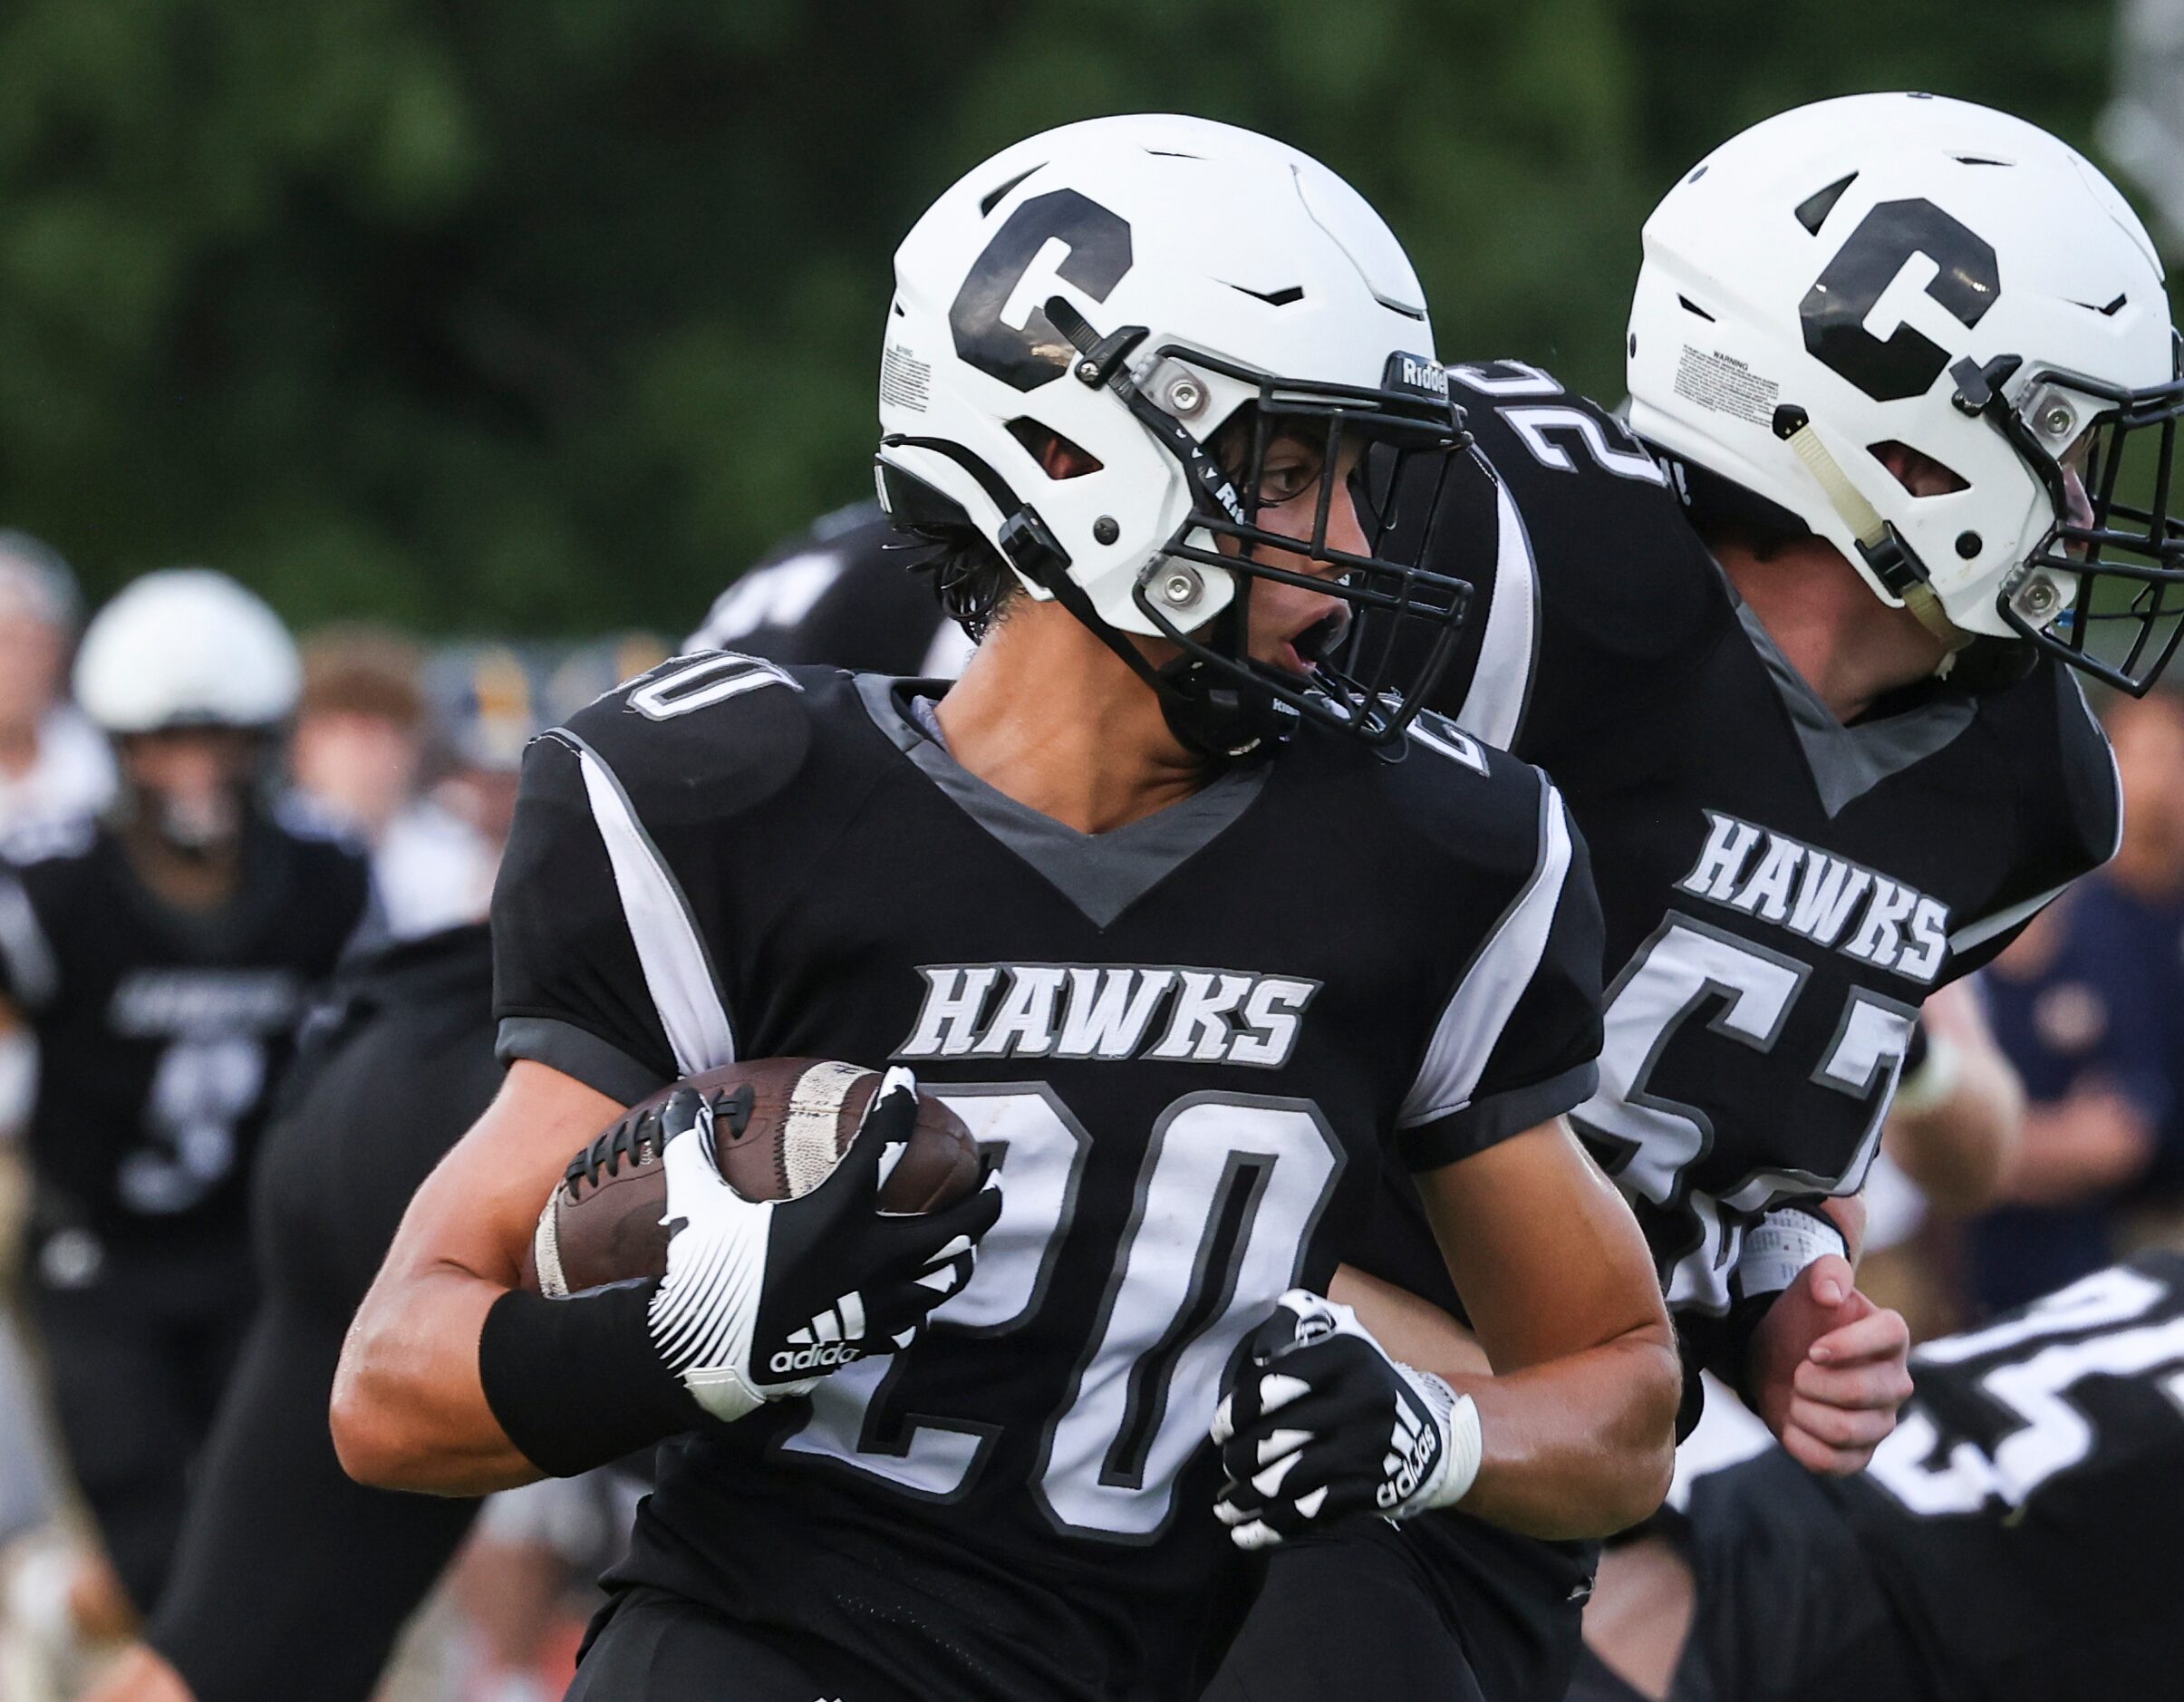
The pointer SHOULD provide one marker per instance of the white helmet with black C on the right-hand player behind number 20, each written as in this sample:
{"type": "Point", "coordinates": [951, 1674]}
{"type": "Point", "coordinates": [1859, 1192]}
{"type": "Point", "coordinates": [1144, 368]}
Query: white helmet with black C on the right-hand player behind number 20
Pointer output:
{"type": "Point", "coordinates": [1899, 272]}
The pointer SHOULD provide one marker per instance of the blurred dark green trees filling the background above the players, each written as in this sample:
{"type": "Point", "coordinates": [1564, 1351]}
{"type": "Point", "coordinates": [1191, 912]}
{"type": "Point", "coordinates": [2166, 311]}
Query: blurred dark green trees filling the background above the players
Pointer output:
{"type": "Point", "coordinates": [545, 316]}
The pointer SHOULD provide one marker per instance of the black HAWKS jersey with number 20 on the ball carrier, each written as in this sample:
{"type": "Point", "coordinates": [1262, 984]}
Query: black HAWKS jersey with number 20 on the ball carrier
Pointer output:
{"type": "Point", "coordinates": [1191, 1043]}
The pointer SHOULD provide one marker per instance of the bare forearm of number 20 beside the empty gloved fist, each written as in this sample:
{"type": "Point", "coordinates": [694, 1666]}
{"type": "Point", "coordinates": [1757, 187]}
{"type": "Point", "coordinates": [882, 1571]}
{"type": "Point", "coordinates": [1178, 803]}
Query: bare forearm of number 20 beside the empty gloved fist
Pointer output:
{"type": "Point", "coordinates": [1578, 1447]}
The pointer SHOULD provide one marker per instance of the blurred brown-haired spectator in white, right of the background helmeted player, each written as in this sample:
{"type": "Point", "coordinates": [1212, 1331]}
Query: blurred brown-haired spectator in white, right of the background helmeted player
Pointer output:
{"type": "Point", "coordinates": [359, 755]}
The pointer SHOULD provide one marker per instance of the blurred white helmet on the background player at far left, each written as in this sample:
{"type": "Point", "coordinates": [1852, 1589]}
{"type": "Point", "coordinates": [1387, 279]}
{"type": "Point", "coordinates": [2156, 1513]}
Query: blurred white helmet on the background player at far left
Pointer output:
{"type": "Point", "coordinates": [187, 648]}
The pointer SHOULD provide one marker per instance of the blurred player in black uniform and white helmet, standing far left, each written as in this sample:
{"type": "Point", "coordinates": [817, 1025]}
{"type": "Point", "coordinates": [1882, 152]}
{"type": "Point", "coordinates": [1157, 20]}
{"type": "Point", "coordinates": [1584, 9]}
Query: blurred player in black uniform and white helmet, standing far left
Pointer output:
{"type": "Point", "coordinates": [163, 958]}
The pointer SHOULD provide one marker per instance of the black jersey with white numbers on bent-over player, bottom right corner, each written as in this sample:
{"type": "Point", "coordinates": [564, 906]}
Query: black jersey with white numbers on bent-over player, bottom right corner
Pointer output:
{"type": "Point", "coordinates": [2019, 1537]}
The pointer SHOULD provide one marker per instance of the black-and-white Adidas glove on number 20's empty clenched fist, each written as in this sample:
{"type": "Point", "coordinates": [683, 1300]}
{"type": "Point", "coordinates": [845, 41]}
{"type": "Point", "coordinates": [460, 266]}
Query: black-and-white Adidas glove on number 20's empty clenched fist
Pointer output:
{"type": "Point", "coordinates": [1318, 1426]}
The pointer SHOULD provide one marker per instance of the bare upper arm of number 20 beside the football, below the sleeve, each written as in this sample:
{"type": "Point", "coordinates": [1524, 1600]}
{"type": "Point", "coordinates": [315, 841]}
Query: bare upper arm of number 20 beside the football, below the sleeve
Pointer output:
{"type": "Point", "coordinates": [482, 1203]}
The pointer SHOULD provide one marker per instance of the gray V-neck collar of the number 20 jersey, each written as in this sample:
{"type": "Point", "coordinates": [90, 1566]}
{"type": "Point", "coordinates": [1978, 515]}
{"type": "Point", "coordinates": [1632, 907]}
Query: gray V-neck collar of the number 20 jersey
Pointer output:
{"type": "Point", "coordinates": [1100, 873]}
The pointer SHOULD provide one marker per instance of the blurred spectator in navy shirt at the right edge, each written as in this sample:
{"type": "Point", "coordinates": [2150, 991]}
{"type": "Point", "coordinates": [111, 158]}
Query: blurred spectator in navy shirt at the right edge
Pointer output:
{"type": "Point", "coordinates": [2087, 1006]}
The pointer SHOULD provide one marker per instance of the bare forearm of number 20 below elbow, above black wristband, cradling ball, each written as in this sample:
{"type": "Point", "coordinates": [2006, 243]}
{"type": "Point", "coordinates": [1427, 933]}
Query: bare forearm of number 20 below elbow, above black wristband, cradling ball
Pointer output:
{"type": "Point", "coordinates": [409, 1410]}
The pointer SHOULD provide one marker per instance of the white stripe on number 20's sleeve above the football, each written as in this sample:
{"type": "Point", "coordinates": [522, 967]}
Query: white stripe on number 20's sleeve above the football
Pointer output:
{"type": "Point", "coordinates": [672, 954]}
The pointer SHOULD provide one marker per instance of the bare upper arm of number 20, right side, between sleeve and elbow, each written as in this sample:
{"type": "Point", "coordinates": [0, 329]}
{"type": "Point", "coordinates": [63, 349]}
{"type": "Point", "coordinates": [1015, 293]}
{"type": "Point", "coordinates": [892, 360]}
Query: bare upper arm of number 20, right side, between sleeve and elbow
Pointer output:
{"type": "Point", "coordinates": [1543, 1249]}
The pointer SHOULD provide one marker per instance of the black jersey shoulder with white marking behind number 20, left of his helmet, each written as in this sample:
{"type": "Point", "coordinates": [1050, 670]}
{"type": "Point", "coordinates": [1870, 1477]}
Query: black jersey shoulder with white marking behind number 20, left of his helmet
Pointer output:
{"type": "Point", "coordinates": [840, 595]}
